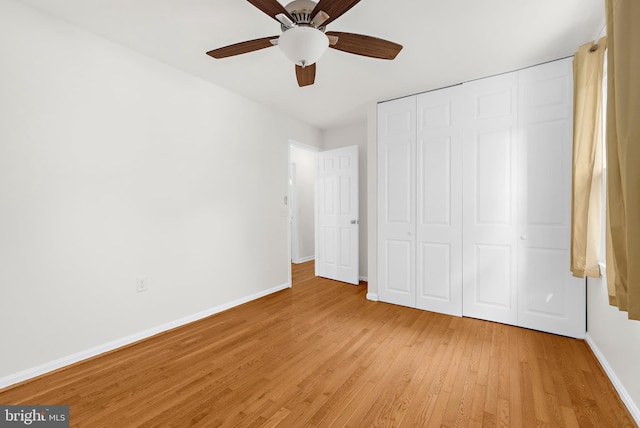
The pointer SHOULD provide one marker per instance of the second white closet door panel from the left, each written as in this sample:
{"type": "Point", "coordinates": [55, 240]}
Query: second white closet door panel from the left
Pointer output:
{"type": "Point", "coordinates": [439, 201]}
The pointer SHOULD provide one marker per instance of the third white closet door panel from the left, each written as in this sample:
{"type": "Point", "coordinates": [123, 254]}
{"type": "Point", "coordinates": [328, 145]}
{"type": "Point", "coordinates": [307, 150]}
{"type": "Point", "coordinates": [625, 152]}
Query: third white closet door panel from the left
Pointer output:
{"type": "Point", "coordinates": [490, 199]}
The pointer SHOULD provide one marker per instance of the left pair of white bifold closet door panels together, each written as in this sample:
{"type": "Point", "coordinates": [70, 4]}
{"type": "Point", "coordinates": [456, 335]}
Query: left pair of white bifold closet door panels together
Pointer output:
{"type": "Point", "coordinates": [420, 202]}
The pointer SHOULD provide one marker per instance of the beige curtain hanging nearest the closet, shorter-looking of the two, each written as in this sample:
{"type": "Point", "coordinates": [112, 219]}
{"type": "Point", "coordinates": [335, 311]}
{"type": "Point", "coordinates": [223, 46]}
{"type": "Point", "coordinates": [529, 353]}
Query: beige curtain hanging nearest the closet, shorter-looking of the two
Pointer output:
{"type": "Point", "coordinates": [586, 204]}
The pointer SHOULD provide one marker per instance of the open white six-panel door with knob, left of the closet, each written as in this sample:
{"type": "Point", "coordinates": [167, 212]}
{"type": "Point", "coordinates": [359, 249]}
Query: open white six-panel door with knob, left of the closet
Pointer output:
{"type": "Point", "coordinates": [338, 218]}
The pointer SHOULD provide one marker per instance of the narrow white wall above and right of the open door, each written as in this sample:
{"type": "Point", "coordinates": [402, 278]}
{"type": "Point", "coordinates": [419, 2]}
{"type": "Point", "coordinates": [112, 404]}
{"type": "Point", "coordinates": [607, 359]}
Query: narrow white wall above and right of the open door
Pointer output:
{"type": "Point", "coordinates": [350, 135]}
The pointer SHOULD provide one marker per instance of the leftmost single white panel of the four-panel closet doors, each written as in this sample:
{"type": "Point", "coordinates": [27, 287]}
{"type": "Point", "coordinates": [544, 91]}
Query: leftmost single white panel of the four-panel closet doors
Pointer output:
{"type": "Point", "coordinates": [396, 201]}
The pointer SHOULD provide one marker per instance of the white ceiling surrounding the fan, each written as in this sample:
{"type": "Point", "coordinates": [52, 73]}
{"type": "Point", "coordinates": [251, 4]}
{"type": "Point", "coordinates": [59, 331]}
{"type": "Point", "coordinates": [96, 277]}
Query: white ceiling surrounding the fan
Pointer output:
{"type": "Point", "coordinates": [445, 42]}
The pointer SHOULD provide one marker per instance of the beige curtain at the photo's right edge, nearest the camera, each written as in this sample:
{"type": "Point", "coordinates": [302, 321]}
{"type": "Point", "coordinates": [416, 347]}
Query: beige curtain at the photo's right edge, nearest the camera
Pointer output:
{"type": "Point", "coordinates": [623, 155]}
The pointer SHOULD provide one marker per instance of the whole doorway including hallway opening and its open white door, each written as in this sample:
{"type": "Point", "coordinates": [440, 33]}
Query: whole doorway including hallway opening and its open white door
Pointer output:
{"type": "Point", "coordinates": [323, 209]}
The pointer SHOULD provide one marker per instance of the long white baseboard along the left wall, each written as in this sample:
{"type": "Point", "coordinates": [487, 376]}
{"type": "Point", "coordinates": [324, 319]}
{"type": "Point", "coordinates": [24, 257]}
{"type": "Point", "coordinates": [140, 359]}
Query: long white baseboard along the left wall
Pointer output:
{"type": "Point", "coordinates": [110, 346]}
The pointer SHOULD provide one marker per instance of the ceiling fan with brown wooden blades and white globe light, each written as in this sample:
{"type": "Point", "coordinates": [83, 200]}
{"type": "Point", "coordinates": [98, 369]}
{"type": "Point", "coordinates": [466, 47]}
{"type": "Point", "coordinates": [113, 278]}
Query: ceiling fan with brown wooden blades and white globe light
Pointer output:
{"type": "Point", "coordinates": [304, 37]}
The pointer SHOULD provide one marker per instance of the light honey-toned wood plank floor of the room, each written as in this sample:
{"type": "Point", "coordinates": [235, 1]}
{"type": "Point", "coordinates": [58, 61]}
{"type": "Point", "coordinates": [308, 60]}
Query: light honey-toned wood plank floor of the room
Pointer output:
{"type": "Point", "coordinates": [320, 355]}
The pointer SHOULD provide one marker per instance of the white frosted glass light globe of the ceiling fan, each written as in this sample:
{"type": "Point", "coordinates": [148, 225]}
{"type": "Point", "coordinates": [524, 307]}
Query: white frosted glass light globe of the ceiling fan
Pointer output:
{"type": "Point", "coordinates": [303, 45]}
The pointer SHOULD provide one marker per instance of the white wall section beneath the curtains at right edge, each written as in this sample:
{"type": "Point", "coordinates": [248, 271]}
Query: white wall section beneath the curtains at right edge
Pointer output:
{"type": "Point", "coordinates": [616, 342]}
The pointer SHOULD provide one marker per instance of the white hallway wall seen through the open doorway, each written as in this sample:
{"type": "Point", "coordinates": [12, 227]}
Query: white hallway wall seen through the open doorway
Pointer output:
{"type": "Point", "coordinates": [305, 161]}
